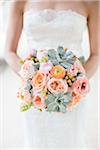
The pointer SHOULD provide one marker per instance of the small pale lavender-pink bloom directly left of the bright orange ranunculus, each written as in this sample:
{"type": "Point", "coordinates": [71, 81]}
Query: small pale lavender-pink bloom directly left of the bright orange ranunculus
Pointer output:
{"type": "Point", "coordinates": [46, 67]}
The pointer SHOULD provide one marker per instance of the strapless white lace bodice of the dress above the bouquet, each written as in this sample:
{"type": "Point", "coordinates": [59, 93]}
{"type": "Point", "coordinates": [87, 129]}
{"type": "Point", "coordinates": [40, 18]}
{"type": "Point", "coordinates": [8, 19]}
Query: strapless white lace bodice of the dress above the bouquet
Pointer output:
{"type": "Point", "coordinates": [51, 28]}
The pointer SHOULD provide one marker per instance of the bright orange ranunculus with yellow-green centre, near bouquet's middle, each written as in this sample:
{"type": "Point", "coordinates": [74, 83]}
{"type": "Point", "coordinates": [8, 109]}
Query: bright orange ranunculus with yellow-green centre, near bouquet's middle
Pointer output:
{"type": "Point", "coordinates": [58, 72]}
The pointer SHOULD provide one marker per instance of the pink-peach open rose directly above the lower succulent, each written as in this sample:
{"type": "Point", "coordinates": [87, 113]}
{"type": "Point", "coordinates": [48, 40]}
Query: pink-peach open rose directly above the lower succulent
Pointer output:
{"type": "Point", "coordinates": [57, 85]}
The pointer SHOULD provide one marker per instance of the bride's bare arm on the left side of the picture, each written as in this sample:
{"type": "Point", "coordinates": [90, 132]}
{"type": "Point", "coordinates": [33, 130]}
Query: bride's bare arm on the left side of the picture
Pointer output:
{"type": "Point", "coordinates": [13, 34]}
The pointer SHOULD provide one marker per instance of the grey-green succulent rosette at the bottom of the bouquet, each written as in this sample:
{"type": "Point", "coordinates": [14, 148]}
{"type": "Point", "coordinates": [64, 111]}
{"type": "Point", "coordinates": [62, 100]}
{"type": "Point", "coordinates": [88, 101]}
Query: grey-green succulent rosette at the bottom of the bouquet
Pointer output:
{"type": "Point", "coordinates": [58, 102]}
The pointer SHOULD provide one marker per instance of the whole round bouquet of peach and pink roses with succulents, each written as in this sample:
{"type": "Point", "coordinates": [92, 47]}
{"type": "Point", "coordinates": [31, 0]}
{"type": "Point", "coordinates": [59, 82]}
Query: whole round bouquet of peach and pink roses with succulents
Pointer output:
{"type": "Point", "coordinates": [52, 80]}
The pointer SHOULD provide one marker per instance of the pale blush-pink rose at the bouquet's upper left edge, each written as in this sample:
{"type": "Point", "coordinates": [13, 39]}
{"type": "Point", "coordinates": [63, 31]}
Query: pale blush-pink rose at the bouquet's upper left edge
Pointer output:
{"type": "Point", "coordinates": [27, 70]}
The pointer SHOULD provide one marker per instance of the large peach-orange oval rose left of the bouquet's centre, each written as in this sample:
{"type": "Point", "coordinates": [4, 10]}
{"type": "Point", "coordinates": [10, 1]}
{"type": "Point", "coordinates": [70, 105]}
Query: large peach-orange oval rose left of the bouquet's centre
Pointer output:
{"type": "Point", "coordinates": [39, 81]}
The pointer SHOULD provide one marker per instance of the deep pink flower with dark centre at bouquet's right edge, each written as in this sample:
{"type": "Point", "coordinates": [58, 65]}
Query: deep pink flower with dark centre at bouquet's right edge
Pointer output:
{"type": "Point", "coordinates": [81, 85]}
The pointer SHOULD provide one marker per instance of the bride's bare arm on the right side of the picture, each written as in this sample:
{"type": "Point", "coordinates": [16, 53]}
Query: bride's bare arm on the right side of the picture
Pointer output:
{"type": "Point", "coordinates": [93, 21]}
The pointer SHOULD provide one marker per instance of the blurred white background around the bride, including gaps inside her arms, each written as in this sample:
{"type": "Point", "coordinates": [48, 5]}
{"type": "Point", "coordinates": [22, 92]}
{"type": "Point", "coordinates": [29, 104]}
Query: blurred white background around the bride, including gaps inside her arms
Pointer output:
{"type": "Point", "coordinates": [11, 129]}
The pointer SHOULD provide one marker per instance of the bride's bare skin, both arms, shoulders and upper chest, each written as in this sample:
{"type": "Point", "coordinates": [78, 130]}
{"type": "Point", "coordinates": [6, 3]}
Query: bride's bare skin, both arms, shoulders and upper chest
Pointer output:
{"type": "Point", "coordinates": [89, 9]}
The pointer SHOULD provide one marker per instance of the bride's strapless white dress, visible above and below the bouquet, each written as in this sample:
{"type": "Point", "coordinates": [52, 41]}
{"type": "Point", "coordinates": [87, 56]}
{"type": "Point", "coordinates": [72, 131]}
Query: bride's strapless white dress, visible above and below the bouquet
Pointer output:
{"type": "Point", "coordinates": [50, 28]}
